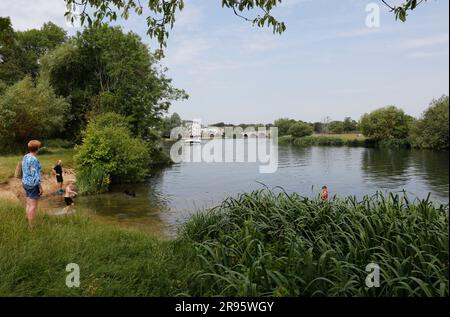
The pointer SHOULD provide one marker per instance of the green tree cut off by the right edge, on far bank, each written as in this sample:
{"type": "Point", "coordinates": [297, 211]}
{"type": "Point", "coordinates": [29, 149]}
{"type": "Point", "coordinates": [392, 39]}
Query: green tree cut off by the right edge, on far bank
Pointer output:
{"type": "Point", "coordinates": [432, 130]}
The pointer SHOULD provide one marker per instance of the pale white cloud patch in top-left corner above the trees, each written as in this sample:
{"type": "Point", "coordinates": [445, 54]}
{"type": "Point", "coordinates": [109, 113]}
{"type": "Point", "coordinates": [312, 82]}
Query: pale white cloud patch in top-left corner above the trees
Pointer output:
{"type": "Point", "coordinates": [26, 14]}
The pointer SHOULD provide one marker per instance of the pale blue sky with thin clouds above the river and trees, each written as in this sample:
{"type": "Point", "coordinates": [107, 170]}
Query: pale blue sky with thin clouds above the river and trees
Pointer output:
{"type": "Point", "coordinates": [328, 63]}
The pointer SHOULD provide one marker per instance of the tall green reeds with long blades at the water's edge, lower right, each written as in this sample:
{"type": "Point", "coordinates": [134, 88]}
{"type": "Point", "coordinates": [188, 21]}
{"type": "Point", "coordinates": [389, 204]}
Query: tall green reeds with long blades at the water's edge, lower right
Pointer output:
{"type": "Point", "coordinates": [266, 244]}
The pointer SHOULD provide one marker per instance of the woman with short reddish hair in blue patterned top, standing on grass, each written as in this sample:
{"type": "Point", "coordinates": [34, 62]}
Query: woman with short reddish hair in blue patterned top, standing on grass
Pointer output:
{"type": "Point", "coordinates": [31, 179]}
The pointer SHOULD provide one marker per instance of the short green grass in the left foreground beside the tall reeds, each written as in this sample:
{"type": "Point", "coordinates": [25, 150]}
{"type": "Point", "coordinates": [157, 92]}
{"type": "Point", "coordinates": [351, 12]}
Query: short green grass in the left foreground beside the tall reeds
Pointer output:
{"type": "Point", "coordinates": [113, 261]}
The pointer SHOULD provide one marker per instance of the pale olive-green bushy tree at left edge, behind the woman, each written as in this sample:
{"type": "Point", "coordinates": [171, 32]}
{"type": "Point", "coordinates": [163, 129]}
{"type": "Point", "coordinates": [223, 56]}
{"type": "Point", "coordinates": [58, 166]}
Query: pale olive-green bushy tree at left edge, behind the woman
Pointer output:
{"type": "Point", "coordinates": [30, 112]}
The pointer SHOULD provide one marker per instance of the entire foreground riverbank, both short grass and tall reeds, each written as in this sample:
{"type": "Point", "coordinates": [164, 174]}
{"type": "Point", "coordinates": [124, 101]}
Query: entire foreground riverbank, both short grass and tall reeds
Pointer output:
{"type": "Point", "coordinates": [258, 244]}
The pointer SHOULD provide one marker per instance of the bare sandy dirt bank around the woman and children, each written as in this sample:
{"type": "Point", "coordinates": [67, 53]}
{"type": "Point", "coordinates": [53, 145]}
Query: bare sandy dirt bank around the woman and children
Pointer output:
{"type": "Point", "coordinates": [13, 189]}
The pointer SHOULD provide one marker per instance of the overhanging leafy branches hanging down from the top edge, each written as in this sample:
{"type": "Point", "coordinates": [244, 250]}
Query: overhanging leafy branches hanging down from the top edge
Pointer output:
{"type": "Point", "coordinates": [162, 13]}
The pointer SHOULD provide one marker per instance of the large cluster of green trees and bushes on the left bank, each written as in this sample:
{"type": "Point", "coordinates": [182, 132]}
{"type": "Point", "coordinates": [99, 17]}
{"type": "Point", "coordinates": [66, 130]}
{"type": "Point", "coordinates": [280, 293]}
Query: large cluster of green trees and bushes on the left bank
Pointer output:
{"type": "Point", "coordinates": [97, 86]}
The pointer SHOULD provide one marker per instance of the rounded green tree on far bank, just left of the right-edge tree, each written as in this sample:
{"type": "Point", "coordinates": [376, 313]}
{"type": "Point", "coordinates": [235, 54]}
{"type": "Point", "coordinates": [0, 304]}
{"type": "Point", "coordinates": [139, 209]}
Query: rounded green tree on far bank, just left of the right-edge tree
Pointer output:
{"type": "Point", "coordinates": [386, 123]}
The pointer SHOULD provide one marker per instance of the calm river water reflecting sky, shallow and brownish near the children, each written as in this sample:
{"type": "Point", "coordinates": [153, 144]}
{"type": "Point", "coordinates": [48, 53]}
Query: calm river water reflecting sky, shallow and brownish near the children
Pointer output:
{"type": "Point", "coordinates": [170, 195]}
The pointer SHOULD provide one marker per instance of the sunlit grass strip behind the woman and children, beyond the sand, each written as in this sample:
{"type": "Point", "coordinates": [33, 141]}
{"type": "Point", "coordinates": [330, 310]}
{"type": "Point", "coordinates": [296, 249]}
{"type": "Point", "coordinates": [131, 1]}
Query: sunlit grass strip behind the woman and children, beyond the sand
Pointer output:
{"type": "Point", "coordinates": [8, 163]}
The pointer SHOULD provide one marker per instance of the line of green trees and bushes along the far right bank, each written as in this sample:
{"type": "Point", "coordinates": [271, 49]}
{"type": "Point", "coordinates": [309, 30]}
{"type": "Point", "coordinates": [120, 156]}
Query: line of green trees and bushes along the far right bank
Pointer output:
{"type": "Point", "coordinates": [385, 127]}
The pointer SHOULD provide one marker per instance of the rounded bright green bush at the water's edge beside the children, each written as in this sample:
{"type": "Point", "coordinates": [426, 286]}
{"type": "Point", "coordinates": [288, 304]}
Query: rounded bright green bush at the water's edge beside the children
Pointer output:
{"type": "Point", "coordinates": [111, 154]}
